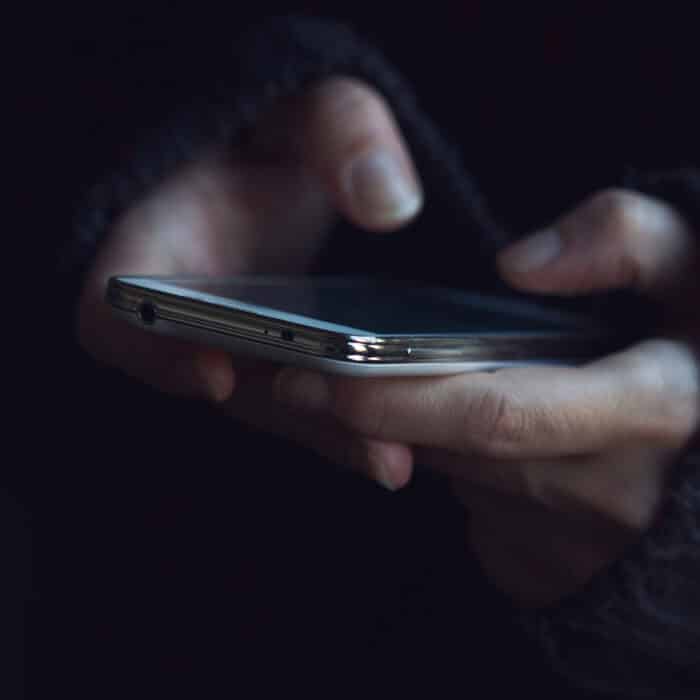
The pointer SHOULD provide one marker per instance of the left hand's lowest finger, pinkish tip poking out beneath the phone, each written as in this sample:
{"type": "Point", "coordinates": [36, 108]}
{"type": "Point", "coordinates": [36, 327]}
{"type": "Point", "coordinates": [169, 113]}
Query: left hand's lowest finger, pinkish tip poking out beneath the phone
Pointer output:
{"type": "Point", "coordinates": [387, 463]}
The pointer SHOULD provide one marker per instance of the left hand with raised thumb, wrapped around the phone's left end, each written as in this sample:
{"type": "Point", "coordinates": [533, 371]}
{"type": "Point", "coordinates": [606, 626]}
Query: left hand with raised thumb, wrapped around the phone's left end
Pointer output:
{"type": "Point", "coordinates": [266, 207]}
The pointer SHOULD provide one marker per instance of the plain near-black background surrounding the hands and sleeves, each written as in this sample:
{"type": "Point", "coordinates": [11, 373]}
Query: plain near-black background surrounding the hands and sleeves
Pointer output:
{"type": "Point", "coordinates": [163, 571]}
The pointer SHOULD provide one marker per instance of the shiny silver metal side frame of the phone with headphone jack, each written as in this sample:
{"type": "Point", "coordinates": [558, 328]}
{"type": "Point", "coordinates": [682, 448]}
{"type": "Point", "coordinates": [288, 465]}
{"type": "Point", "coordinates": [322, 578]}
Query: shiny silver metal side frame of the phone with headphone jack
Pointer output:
{"type": "Point", "coordinates": [147, 307]}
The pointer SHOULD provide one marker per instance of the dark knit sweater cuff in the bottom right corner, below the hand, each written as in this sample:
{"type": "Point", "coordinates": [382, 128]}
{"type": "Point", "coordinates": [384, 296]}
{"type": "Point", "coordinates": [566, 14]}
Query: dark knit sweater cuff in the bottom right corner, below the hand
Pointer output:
{"type": "Point", "coordinates": [634, 632]}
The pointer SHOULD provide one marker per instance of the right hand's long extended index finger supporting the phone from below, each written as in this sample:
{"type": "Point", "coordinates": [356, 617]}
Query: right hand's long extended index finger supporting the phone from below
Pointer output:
{"type": "Point", "coordinates": [647, 393]}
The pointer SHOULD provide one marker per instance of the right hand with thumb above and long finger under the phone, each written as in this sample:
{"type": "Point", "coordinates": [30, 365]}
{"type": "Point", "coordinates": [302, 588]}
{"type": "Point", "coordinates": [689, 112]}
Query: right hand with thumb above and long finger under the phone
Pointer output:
{"type": "Point", "coordinates": [560, 468]}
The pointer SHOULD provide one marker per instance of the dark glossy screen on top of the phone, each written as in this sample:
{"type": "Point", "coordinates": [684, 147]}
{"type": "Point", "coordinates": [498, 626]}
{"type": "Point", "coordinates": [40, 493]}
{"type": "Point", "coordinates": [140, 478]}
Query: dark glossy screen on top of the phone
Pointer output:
{"type": "Point", "coordinates": [385, 308]}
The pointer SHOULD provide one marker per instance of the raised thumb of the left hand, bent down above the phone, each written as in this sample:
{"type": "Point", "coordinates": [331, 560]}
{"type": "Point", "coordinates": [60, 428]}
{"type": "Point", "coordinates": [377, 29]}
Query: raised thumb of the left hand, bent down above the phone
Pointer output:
{"type": "Point", "coordinates": [352, 142]}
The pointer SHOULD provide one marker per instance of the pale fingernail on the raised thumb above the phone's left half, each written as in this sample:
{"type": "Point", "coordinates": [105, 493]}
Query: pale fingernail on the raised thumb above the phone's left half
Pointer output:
{"type": "Point", "coordinates": [379, 185]}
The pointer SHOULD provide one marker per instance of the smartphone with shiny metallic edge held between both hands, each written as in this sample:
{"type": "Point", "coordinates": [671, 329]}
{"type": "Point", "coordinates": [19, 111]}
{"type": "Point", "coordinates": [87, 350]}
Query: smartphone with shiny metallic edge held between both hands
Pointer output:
{"type": "Point", "coordinates": [356, 326]}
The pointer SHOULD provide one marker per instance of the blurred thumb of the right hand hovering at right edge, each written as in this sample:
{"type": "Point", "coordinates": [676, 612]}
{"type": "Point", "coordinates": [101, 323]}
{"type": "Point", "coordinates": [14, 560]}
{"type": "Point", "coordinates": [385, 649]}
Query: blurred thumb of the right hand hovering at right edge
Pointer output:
{"type": "Point", "coordinates": [617, 239]}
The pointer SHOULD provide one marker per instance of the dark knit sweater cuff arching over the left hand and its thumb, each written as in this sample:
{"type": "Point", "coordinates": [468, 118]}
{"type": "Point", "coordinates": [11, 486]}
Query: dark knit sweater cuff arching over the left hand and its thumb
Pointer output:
{"type": "Point", "coordinates": [239, 83]}
